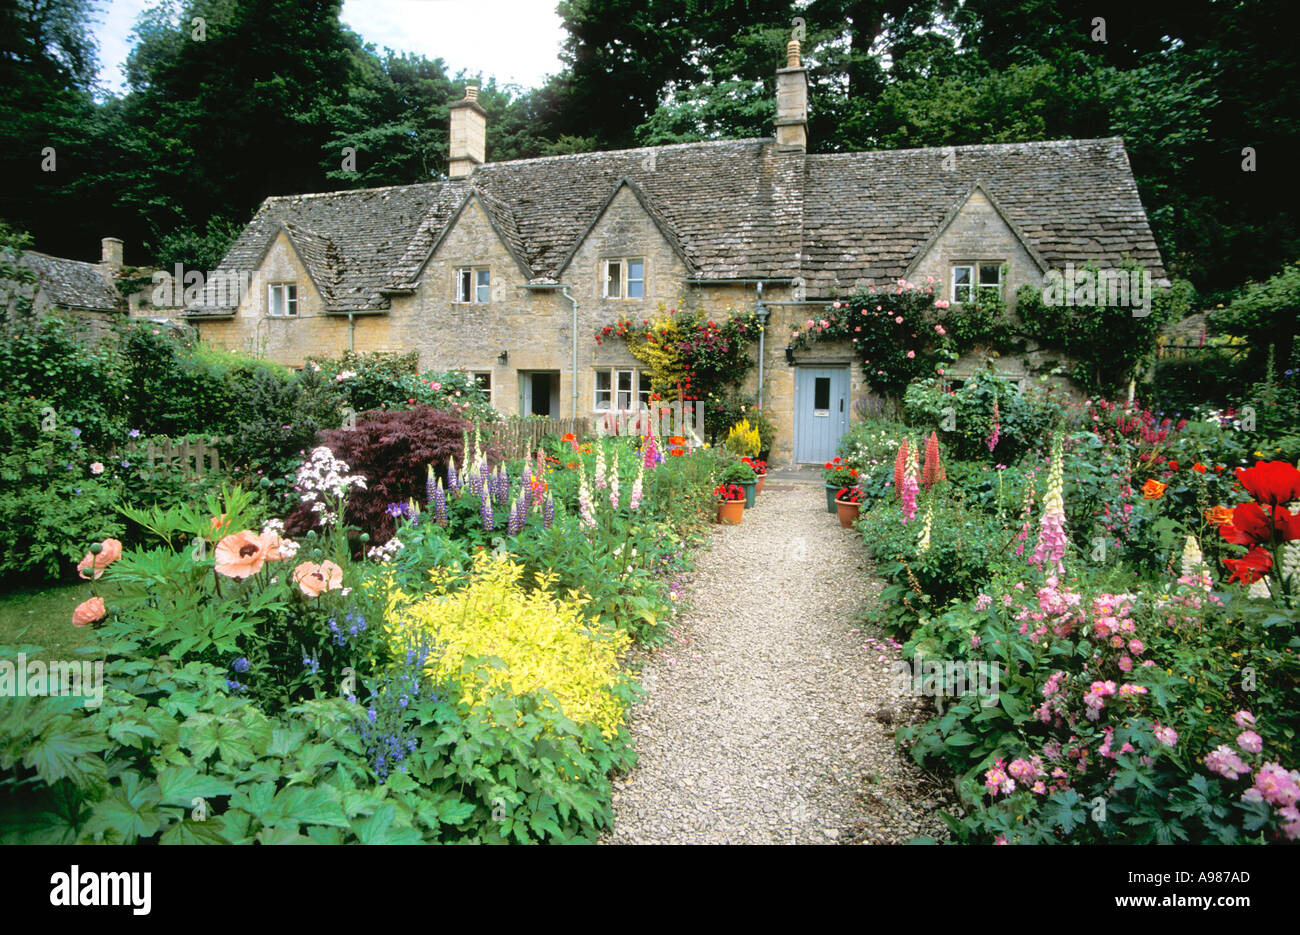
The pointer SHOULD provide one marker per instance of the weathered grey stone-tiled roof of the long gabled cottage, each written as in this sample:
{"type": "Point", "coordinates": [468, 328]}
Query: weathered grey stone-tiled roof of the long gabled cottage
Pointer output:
{"type": "Point", "coordinates": [735, 210]}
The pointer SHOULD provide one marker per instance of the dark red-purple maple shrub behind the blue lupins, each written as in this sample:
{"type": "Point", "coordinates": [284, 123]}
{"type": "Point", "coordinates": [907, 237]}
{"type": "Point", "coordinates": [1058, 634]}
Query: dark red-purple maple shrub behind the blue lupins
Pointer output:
{"type": "Point", "coordinates": [392, 449]}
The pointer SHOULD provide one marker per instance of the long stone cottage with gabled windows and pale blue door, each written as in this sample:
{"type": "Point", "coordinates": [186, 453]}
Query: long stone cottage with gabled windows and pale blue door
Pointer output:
{"type": "Point", "coordinates": [508, 270]}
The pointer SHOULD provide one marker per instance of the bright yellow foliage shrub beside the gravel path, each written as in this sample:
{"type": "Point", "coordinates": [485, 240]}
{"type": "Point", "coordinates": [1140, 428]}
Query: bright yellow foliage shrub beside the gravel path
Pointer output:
{"type": "Point", "coordinates": [543, 640]}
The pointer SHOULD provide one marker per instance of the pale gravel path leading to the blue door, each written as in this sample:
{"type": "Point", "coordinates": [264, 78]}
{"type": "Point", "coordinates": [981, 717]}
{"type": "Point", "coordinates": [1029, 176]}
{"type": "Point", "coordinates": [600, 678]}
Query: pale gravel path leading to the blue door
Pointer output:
{"type": "Point", "coordinates": [770, 717]}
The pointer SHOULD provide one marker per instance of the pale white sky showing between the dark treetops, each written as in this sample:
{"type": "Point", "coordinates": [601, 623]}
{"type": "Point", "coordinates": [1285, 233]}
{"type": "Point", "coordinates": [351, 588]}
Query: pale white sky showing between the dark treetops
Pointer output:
{"type": "Point", "coordinates": [525, 47]}
